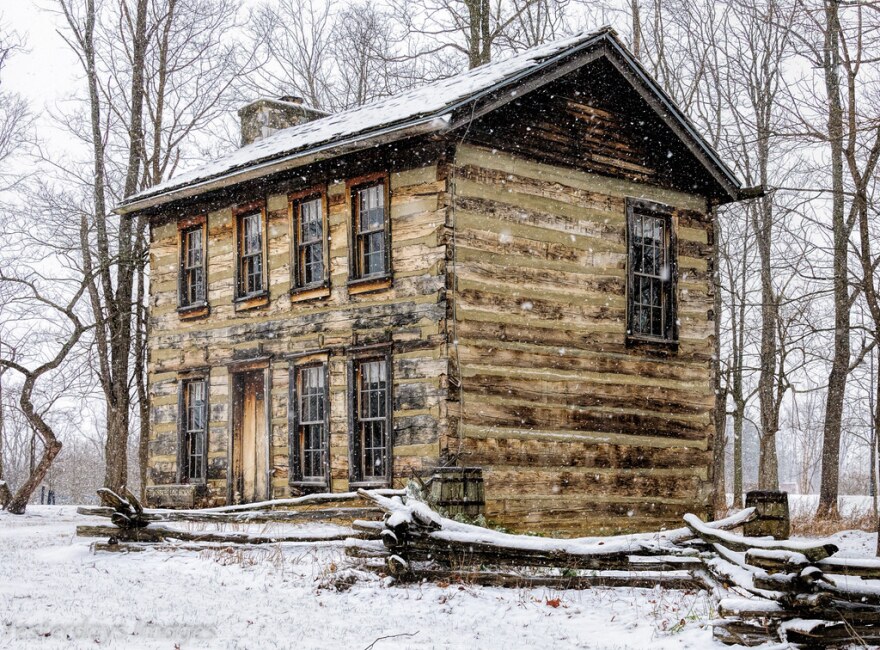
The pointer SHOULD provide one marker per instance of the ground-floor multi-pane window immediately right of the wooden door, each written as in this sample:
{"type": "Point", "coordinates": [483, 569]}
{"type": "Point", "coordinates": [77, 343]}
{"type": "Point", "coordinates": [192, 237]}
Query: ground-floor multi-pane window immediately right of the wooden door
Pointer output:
{"type": "Point", "coordinates": [309, 424]}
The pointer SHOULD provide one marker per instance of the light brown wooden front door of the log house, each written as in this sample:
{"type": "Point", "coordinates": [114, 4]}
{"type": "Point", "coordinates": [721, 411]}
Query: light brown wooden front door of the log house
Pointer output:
{"type": "Point", "coordinates": [250, 438]}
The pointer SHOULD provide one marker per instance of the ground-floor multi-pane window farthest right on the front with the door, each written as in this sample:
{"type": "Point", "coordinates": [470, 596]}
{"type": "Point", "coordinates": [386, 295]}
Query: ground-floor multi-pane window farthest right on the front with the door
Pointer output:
{"type": "Point", "coordinates": [372, 419]}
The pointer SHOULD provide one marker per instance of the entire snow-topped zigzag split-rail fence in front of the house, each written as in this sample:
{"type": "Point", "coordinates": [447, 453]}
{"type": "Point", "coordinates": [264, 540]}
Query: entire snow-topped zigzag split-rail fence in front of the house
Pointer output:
{"type": "Point", "coordinates": [768, 590]}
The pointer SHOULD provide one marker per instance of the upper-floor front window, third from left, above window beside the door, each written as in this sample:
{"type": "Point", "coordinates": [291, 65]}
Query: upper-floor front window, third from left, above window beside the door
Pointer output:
{"type": "Point", "coordinates": [309, 261]}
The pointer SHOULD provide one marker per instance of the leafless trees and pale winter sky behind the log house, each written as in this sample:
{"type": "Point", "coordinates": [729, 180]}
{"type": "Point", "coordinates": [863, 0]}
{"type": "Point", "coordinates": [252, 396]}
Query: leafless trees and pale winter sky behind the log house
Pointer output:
{"type": "Point", "coordinates": [785, 89]}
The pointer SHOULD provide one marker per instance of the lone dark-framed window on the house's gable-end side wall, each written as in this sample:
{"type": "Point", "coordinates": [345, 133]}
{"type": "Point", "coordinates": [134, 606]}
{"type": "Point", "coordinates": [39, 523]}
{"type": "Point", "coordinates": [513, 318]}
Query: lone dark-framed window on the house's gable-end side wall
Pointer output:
{"type": "Point", "coordinates": [651, 304]}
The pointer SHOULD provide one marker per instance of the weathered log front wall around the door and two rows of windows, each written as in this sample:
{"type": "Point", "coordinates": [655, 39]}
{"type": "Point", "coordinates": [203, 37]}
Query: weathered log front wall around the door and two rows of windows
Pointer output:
{"type": "Point", "coordinates": [410, 313]}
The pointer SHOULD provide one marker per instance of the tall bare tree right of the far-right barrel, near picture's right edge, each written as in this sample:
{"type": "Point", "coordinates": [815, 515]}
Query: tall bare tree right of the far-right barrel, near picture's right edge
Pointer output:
{"type": "Point", "coordinates": [838, 45]}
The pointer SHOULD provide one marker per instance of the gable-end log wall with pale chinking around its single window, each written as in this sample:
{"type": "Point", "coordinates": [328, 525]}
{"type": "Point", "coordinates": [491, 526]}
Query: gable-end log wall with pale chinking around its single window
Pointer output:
{"type": "Point", "coordinates": [575, 431]}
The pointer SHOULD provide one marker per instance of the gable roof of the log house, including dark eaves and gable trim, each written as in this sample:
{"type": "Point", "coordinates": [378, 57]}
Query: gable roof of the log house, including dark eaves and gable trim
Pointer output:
{"type": "Point", "coordinates": [429, 109]}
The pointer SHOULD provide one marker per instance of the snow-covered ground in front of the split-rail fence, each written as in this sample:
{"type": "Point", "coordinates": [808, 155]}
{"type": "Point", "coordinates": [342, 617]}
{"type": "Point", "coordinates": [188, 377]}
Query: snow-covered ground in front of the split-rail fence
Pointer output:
{"type": "Point", "coordinates": [56, 593]}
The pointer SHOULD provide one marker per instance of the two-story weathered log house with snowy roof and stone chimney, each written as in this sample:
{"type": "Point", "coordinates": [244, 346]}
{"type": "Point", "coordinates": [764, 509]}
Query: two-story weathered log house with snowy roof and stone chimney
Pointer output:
{"type": "Point", "coordinates": [510, 269]}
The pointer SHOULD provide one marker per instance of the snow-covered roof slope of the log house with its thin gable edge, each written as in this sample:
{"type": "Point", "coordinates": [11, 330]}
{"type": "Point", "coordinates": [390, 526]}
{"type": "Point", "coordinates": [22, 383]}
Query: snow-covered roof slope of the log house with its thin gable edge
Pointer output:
{"type": "Point", "coordinates": [427, 108]}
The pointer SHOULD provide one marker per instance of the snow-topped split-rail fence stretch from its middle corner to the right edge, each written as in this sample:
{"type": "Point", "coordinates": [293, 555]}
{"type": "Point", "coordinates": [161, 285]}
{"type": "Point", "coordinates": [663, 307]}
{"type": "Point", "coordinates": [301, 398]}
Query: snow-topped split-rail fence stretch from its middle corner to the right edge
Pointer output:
{"type": "Point", "coordinates": [770, 590]}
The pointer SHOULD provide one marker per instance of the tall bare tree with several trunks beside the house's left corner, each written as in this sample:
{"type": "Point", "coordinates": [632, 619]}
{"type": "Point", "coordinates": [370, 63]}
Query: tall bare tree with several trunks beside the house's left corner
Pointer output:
{"type": "Point", "coordinates": [156, 72]}
